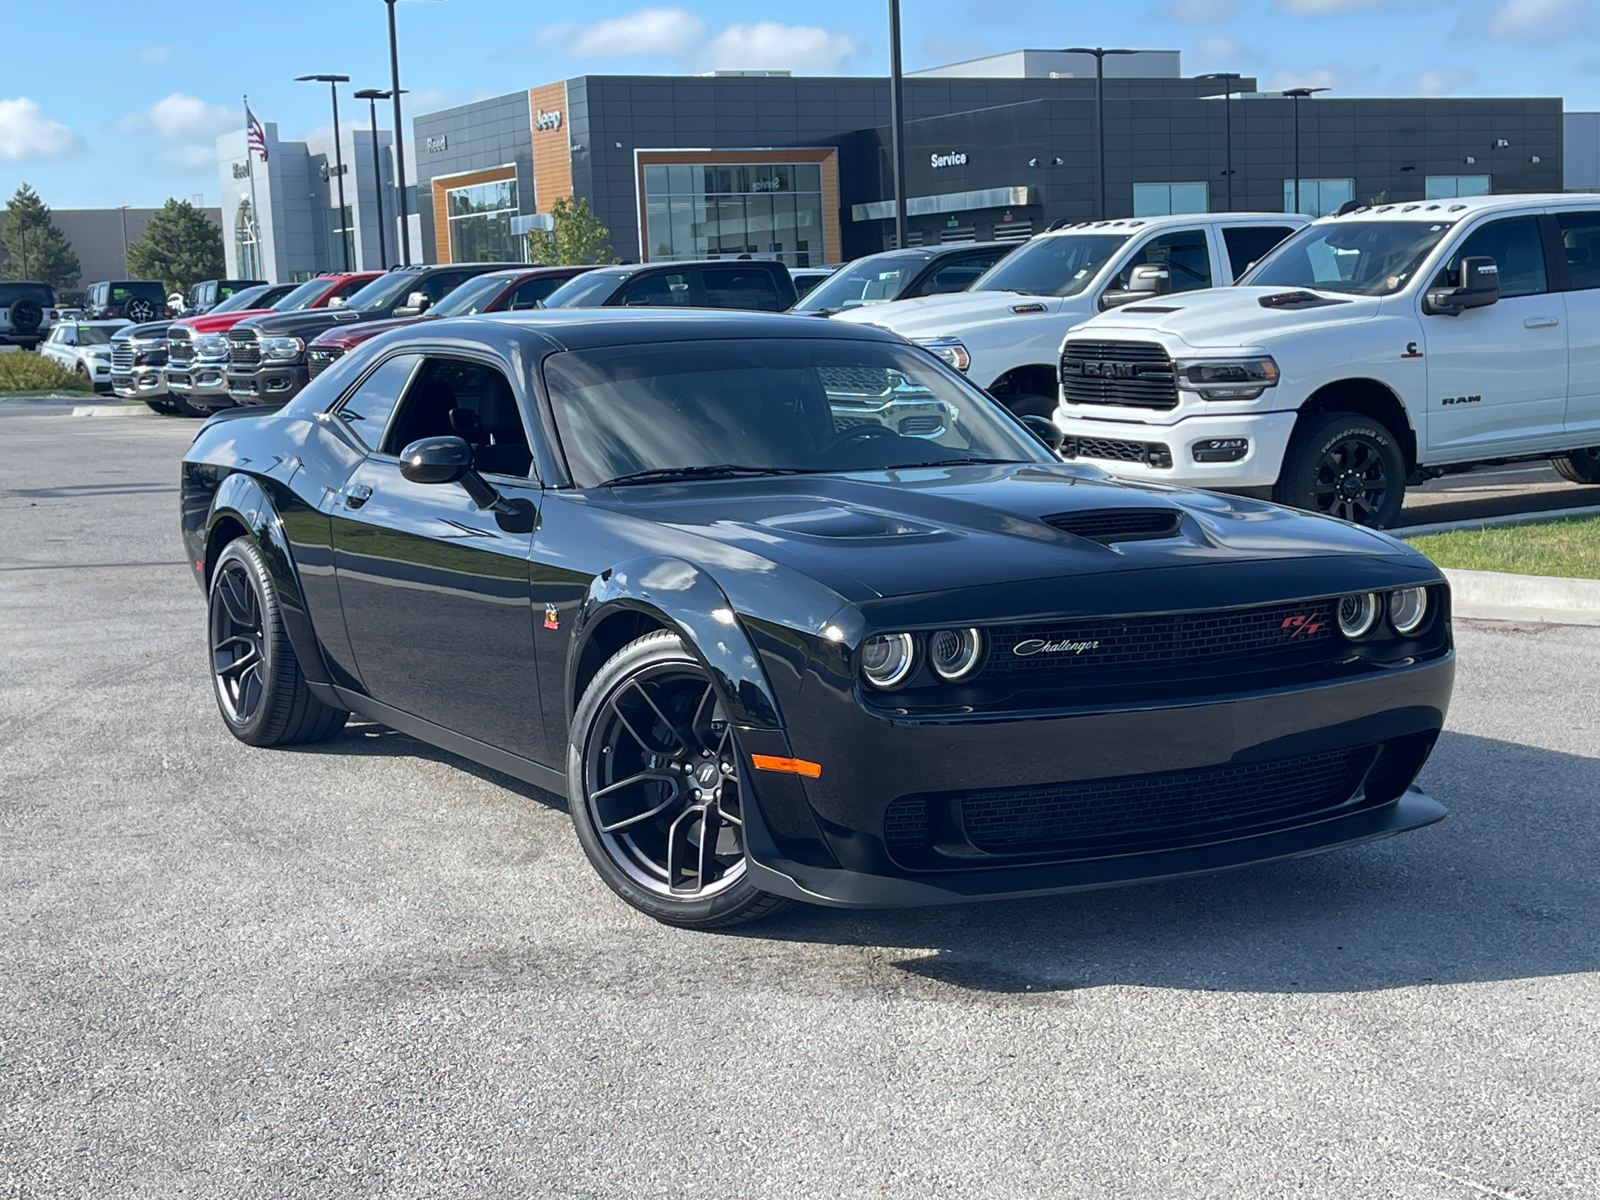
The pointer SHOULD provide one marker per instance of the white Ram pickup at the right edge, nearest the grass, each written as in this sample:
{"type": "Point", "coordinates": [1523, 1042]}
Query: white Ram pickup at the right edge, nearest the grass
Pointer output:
{"type": "Point", "coordinates": [1369, 351]}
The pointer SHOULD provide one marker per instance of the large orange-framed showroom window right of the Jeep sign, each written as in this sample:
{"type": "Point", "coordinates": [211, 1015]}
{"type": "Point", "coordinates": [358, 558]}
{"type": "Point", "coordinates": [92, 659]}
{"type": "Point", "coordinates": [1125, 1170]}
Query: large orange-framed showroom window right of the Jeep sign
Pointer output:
{"type": "Point", "coordinates": [770, 210]}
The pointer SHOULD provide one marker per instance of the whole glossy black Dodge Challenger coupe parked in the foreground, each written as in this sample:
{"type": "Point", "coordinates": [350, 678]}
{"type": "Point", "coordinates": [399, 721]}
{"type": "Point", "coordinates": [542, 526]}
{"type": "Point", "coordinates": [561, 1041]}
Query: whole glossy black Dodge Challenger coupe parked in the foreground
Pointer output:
{"type": "Point", "coordinates": [791, 612]}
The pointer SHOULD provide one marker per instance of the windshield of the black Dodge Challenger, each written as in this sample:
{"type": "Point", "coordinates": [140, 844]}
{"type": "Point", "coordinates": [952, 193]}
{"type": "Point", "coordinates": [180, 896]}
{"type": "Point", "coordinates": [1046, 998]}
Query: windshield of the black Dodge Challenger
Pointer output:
{"type": "Point", "coordinates": [772, 407]}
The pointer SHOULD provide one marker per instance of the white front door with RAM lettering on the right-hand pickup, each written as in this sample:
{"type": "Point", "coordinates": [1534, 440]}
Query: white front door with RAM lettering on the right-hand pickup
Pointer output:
{"type": "Point", "coordinates": [1497, 377]}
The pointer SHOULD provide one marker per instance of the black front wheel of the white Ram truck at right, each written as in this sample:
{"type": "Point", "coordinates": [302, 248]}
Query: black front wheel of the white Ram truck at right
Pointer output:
{"type": "Point", "coordinates": [1346, 466]}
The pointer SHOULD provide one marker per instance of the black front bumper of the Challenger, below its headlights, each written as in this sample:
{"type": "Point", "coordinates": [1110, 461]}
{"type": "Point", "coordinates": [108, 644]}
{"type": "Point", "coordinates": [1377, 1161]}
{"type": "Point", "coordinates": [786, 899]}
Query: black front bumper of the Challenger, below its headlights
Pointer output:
{"type": "Point", "coordinates": [833, 839]}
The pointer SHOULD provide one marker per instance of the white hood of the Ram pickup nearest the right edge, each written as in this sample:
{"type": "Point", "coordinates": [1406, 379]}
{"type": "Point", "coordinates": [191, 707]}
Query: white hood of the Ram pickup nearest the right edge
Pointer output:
{"type": "Point", "coordinates": [1228, 318]}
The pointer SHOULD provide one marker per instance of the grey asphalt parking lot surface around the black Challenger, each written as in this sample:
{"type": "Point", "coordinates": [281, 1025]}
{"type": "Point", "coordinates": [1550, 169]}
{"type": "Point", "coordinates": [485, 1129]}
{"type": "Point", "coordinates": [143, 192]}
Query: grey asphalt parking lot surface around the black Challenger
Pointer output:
{"type": "Point", "coordinates": [370, 969]}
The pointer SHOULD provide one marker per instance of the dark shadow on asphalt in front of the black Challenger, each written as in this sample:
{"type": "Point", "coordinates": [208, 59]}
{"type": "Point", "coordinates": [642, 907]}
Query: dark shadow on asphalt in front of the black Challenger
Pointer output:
{"type": "Point", "coordinates": [1505, 889]}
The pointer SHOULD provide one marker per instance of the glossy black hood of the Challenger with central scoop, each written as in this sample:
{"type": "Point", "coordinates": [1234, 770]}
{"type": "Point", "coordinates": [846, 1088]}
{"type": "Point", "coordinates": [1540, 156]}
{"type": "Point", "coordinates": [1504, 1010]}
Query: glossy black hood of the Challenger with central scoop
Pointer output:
{"type": "Point", "coordinates": [876, 535]}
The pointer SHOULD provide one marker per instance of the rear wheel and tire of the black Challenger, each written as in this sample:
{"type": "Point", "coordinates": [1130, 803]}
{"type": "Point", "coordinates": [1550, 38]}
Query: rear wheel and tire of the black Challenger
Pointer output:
{"type": "Point", "coordinates": [260, 689]}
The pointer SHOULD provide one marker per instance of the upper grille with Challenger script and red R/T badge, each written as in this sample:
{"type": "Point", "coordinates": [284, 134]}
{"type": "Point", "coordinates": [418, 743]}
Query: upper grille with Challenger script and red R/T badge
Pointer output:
{"type": "Point", "coordinates": [1121, 646]}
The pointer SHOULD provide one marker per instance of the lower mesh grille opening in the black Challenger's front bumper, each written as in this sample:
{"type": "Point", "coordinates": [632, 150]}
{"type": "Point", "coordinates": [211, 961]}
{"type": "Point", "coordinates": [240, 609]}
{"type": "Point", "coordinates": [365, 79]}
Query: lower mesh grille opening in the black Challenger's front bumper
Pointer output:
{"type": "Point", "coordinates": [1138, 812]}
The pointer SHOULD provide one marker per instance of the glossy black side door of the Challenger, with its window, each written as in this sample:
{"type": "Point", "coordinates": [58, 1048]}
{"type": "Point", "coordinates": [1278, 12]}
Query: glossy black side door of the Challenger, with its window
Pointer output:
{"type": "Point", "coordinates": [434, 590]}
